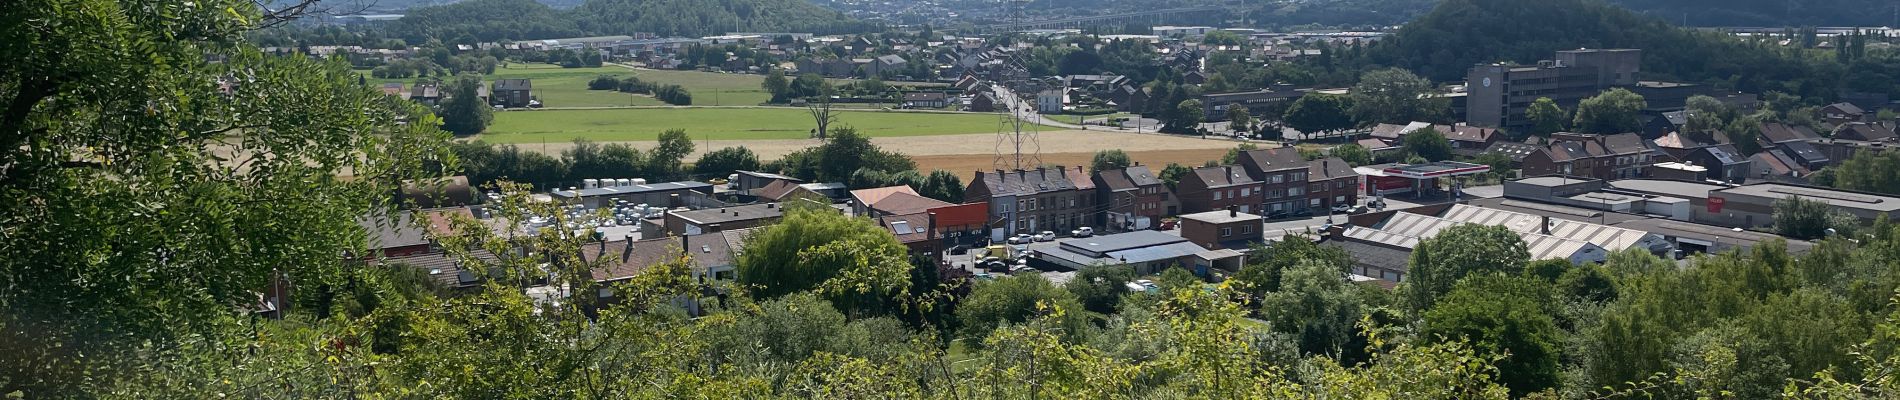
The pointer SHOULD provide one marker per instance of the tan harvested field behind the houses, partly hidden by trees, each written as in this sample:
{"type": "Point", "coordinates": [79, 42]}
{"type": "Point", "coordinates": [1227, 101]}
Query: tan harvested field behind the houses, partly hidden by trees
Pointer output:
{"type": "Point", "coordinates": [966, 155]}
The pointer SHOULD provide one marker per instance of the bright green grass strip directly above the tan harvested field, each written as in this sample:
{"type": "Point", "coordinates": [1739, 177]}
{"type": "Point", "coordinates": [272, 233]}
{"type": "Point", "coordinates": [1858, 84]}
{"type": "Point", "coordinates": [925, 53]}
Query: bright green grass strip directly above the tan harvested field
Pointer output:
{"type": "Point", "coordinates": [719, 124]}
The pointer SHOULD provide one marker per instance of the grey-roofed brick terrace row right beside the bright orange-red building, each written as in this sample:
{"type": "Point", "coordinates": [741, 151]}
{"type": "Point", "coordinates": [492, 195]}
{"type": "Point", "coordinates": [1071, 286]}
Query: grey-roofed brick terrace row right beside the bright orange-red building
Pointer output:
{"type": "Point", "coordinates": [1031, 202]}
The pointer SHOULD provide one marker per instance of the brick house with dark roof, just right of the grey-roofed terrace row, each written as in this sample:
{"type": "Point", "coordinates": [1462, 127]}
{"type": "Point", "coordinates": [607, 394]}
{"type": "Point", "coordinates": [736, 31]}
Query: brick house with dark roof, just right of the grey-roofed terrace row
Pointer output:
{"type": "Point", "coordinates": [1133, 198]}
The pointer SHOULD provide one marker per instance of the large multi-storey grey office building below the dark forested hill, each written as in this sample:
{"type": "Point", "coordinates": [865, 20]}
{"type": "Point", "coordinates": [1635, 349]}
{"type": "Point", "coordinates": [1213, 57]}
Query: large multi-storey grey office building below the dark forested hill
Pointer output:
{"type": "Point", "coordinates": [1500, 94]}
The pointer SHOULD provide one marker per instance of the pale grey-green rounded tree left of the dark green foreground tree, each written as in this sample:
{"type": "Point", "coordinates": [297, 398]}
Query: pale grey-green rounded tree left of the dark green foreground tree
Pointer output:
{"type": "Point", "coordinates": [1318, 306]}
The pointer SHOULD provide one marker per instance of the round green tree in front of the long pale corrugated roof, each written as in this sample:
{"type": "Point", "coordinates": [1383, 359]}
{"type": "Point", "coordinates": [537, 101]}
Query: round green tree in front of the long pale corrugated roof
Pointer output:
{"type": "Point", "coordinates": [1458, 253]}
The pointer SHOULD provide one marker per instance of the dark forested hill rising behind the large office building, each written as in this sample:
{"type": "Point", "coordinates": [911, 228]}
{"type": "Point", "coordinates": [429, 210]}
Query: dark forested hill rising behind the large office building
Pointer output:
{"type": "Point", "coordinates": [1462, 33]}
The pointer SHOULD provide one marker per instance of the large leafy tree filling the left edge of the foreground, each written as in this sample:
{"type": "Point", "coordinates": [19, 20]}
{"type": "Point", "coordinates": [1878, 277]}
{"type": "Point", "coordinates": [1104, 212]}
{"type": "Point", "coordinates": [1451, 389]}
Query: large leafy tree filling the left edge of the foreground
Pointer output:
{"type": "Point", "coordinates": [225, 177]}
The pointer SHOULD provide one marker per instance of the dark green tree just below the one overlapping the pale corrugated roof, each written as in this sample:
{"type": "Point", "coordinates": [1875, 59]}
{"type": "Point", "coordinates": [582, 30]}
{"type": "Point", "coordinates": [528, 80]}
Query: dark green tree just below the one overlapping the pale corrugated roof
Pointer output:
{"type": "Point", "coordinates": [1504, 316]}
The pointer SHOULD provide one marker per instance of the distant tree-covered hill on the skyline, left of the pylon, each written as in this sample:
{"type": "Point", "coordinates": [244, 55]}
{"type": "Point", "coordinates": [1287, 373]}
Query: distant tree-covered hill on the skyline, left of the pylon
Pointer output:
{"type": "Point", "coordinates": [527, 20]}
